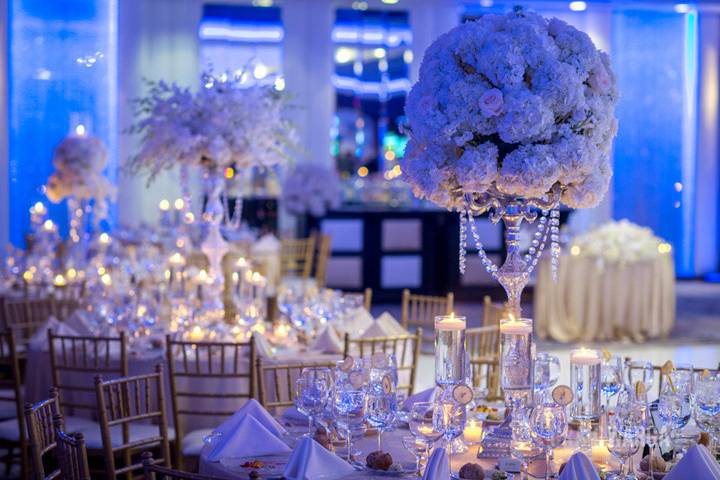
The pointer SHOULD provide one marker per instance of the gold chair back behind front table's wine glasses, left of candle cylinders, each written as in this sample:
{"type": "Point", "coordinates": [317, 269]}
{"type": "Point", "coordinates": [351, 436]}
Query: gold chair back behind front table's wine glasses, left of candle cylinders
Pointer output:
{"type": "Point", "coordinates": [406, 349]}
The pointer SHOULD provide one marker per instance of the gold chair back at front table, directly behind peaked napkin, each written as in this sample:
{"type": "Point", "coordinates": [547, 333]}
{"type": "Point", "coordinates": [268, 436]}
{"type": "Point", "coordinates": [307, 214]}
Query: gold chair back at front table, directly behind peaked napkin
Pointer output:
{"type": "Point", "coordinates": [276, 382]}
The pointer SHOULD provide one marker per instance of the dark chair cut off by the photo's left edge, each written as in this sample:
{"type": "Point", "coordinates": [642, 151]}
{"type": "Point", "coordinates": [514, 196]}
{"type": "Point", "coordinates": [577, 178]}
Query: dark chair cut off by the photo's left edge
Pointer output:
{"type": "Point", "coordinates": [13, 437]}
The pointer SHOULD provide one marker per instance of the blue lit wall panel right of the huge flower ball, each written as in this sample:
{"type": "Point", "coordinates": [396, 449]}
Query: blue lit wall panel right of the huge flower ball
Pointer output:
{"type": "Point", "coordinates": [653, 166]}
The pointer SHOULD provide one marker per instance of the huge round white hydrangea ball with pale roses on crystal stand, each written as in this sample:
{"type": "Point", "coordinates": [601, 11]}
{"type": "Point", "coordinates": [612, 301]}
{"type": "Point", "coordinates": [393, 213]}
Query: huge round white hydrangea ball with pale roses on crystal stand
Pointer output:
{"type": "Point", "coordinates": [516, 103]}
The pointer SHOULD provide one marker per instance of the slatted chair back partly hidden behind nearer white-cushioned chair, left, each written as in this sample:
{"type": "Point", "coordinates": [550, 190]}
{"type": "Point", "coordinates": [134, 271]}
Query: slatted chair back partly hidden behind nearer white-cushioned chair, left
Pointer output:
{"type": "Point", "coordinates": [73, 358]}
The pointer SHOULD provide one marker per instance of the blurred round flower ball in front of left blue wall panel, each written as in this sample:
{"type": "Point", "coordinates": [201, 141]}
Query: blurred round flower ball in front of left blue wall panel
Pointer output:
{"type": "Point", "coordinates": [79, 161]}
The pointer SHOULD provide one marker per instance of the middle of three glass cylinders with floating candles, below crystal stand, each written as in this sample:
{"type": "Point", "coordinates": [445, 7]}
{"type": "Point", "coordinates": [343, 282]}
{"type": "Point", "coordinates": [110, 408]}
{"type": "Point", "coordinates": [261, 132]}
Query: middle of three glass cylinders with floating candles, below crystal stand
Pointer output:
{"type": "Point", "coordinates": [517, 353]}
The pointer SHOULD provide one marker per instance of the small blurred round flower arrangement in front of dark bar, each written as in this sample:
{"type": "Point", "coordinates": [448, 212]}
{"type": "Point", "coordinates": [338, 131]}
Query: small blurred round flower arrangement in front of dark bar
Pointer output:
{"type": "Point", "coordinates": [311, 189]}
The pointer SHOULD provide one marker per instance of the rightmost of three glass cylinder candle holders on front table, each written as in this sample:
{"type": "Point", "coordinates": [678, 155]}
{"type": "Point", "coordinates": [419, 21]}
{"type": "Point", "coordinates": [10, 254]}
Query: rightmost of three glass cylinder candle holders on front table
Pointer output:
{"type": "Point", "coordinates": [585, 382]}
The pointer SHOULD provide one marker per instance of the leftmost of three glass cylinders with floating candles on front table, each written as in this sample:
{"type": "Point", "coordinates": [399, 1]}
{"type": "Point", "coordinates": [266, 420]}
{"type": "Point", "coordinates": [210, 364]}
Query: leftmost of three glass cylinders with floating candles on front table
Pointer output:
{"type": "Point", "coordinates": [449, 349]}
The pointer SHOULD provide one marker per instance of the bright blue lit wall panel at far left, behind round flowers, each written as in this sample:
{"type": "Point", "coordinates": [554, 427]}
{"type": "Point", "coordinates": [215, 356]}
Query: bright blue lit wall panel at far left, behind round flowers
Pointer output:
{"type": "Point", "coordinates": [52, 75]}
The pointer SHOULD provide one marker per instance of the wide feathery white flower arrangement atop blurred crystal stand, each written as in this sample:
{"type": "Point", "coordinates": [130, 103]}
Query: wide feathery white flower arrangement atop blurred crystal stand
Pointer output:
{"type": "Point", "coordinates": [223, 124]}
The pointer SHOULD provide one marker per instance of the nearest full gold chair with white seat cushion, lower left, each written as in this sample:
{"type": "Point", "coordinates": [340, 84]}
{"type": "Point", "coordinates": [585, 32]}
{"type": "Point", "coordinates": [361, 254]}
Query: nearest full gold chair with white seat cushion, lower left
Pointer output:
{"type": "Point", "coordinates": [125, 407]}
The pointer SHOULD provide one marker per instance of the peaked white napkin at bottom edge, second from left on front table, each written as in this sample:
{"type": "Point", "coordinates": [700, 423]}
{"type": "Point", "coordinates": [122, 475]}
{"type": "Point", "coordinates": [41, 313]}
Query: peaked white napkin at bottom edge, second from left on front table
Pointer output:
{"type": "Point", "coordinates": [312, 461]}
